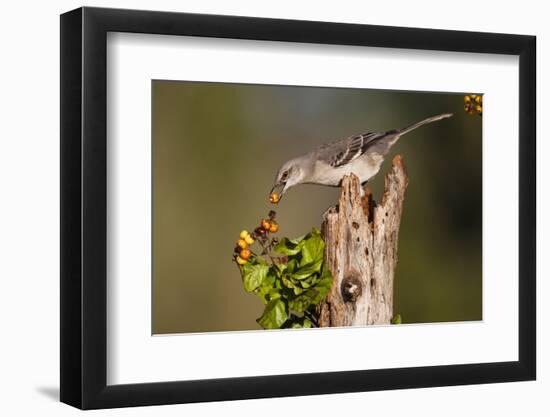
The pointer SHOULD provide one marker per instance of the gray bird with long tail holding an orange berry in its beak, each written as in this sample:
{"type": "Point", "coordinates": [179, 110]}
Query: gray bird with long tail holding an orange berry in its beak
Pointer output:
{"type": "Point", "coordinates": [327, 164]}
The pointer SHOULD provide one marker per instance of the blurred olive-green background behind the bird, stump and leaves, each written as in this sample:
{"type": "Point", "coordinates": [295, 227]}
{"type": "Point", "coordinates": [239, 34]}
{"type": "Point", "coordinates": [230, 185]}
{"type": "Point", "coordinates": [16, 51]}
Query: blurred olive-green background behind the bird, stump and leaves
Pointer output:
{"type": "Point", "coordinates": [216, 150]}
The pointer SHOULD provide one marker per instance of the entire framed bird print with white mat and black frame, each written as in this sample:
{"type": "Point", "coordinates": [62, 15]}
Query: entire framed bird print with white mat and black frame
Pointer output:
{"type": "Point", "coordinates": [257, 208]}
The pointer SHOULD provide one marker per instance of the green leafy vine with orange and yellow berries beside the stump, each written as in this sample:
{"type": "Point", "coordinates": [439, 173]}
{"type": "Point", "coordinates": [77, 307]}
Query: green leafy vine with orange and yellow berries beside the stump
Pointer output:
{"type": "Point", "coordinates": [289, 276]}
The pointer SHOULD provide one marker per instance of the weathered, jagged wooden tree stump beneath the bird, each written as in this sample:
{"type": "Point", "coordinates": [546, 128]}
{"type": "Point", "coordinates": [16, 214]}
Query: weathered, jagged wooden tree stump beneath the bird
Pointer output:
{"type": "Point", "coordinates": [361, 251]}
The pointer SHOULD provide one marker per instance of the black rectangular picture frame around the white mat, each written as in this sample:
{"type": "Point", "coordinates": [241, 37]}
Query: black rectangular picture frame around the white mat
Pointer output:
{"type": "Point", "coordinates": [84, 207]}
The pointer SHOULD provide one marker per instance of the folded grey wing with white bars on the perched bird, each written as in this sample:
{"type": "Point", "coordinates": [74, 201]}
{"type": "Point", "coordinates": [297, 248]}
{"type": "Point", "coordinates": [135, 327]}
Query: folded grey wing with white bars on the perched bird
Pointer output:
{"type": "Point", "coordinates": [342, 152]}
